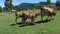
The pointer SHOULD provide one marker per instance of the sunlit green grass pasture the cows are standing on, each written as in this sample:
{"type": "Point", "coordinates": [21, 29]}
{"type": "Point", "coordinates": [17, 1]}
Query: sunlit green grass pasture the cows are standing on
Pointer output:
{"type": "Point", "coordinates": [7, 25]}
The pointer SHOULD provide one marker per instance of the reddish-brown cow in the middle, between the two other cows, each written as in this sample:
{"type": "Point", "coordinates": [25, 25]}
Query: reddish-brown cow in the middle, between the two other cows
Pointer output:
{"type": "Point", "coordinates": [31, 16]}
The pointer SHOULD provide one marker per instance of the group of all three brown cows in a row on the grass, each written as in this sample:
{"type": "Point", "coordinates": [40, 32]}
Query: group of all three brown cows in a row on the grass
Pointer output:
{"type": "Point", "coordinates": [45, 11]}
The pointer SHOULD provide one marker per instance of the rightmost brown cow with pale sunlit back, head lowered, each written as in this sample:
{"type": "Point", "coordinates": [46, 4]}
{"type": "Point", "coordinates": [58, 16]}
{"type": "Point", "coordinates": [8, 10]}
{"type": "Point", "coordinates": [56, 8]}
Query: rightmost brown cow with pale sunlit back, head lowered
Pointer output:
{"type": "Point", "coordinates": [48, 11]}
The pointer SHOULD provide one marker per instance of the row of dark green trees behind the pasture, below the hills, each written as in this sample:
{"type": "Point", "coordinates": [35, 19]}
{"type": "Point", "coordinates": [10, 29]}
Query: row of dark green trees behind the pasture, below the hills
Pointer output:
{"type": "Point", "coordinates": [8, 6]}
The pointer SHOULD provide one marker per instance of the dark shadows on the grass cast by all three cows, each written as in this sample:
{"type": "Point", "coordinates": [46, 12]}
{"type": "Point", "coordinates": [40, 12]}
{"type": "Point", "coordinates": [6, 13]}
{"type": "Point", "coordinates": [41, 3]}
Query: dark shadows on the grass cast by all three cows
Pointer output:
{"type": "Point", "coordinates": [31, 24]}
